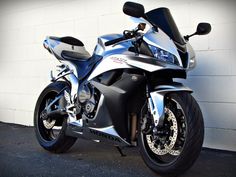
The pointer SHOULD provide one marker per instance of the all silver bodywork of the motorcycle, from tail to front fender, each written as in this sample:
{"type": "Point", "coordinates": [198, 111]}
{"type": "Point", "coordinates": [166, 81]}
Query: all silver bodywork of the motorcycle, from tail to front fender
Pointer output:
{"type": "Point", "coordinates": [115, 57]}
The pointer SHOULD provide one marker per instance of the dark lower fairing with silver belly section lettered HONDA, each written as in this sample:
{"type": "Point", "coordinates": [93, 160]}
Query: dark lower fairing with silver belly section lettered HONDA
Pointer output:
{"type": "Point", "coordinates": [122, 94]}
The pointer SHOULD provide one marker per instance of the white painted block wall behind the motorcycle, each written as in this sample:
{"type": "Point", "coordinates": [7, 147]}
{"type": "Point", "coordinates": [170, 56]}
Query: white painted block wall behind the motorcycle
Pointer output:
{"type": "Point", "coordinates": [25, 64]}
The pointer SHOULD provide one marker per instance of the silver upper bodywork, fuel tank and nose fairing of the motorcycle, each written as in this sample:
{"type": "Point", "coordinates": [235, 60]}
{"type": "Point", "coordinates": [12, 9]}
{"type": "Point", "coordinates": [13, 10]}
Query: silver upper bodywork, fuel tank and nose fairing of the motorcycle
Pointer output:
{"type": "Point", "coordinates": [117, 56]}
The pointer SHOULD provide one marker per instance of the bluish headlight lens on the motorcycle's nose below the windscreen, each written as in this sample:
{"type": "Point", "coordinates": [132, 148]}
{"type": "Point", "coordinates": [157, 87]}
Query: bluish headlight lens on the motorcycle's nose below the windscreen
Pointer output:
{"type": "Point", "coordinates": [163, 55]}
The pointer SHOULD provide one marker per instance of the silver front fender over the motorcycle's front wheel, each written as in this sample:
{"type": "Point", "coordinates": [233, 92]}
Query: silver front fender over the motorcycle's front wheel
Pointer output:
{"type": "Point", "coordinates": [156, 100]}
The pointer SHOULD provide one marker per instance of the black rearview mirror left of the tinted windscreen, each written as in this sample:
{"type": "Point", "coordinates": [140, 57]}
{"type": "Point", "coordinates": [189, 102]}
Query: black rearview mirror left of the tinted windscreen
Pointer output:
{"type": "Point", "coordinates": [133, 9]}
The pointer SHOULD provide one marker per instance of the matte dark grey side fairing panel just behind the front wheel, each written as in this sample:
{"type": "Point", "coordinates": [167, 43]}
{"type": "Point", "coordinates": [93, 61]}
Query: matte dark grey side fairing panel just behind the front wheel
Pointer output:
{"type": "Point", "coordinates": [117, 98]}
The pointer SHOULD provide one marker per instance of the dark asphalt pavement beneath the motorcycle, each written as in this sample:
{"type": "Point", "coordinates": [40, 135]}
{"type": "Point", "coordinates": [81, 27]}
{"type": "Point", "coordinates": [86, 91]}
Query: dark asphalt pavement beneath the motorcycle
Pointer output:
{"type": "Point", "coordinates": [21, 155]}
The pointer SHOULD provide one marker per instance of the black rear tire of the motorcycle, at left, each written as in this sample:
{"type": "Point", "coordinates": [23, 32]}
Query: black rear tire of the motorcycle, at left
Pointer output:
{"type": "Point", "coordinates": [46, 137]}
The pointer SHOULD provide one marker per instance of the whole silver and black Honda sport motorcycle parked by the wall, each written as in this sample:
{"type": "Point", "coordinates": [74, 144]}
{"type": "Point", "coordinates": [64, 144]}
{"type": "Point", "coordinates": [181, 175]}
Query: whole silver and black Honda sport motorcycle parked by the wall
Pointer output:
{"type": "Point", "coordinates": [125, 93]}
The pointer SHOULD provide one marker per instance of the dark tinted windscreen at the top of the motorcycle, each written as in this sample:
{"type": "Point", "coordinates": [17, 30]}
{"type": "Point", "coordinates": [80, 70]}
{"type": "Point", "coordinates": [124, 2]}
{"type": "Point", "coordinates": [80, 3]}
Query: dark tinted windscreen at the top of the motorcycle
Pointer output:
{"type": "Point", "coordinates": [162, 18]}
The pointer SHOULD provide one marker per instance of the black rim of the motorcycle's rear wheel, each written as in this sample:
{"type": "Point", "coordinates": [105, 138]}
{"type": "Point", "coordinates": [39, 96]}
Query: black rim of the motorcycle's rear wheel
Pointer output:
{"type": "Point", "coordinates": [49, 128]}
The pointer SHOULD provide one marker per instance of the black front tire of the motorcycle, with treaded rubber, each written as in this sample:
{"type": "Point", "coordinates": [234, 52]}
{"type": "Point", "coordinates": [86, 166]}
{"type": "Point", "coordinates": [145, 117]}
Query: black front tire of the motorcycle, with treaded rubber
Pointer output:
{"type": "Point", "coordinates": [191, 147]}
